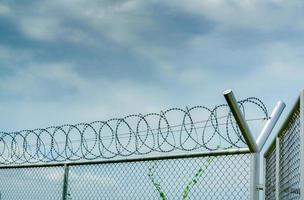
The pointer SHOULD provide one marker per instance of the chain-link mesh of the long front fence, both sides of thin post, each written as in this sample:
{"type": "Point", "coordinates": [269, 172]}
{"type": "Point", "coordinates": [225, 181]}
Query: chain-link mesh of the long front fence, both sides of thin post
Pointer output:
{"type": "Point", "coordinates": [223, 177]}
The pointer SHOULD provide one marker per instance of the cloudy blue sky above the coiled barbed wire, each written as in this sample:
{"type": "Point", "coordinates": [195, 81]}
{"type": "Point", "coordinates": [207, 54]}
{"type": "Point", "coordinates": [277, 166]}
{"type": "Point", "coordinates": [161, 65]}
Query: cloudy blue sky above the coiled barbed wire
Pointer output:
{"type": "Point", "coordinates": [78, 61]}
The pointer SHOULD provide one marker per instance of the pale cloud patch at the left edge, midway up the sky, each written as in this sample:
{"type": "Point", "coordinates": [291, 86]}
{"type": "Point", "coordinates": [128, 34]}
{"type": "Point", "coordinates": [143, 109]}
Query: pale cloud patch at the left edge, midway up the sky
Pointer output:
{"type": "Point", "coordinates": [35, 82]}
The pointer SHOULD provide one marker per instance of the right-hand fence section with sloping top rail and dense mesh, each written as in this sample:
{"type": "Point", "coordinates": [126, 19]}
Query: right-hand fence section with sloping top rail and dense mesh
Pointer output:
{"type": "Point", "coordinates": [284, 158]}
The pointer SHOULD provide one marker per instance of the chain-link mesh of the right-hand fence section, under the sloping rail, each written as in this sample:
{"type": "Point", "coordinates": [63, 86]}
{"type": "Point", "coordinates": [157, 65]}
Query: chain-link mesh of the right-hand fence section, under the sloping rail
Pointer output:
{"type": "Point", "coordinates": [289, 162]}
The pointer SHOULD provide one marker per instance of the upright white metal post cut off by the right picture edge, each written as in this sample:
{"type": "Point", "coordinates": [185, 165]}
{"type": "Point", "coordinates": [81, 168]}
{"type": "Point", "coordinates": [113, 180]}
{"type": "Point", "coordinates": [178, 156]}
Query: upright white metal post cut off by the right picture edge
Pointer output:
{"type": "Point", "coordinates": [302, 145]}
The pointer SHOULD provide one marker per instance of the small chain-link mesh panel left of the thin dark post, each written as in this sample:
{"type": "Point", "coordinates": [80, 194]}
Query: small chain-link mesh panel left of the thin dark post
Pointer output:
{"type": "Point", "coordinates": [31, 183]}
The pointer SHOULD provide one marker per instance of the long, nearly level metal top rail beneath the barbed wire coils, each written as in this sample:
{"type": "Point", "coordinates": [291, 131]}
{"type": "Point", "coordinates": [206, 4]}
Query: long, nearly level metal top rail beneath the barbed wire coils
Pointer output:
{"type": "Point", "coordinates": [224, 152]}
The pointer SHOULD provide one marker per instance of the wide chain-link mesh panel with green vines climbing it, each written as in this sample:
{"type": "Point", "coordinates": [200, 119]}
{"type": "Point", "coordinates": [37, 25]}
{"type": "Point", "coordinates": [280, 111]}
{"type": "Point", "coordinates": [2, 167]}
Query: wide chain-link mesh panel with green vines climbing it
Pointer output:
{"type": "Point", "coordinates": [219, 177]}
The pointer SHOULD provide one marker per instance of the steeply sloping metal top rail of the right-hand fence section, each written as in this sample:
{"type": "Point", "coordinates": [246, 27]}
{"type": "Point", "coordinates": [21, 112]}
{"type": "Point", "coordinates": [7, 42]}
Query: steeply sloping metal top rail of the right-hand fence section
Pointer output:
{"type": "Point", "coordinates": [283, 127]}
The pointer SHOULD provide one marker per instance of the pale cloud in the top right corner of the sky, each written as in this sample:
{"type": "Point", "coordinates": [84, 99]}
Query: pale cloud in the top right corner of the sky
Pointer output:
{"type": "Point", "coordinates": [262, 15]}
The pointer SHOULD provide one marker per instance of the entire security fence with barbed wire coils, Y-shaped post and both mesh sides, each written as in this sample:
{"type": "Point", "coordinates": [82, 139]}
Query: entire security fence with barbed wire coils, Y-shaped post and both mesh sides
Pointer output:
{"type": "Point", "coordinates": [191, 153]}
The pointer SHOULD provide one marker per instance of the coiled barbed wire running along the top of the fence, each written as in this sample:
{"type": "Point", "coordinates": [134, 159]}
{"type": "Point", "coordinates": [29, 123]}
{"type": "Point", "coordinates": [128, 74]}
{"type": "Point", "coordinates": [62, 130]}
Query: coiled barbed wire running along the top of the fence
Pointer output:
{"type": "Point", "coordinates": [131, 135]}
